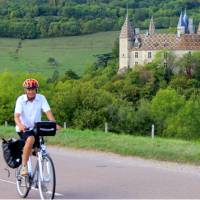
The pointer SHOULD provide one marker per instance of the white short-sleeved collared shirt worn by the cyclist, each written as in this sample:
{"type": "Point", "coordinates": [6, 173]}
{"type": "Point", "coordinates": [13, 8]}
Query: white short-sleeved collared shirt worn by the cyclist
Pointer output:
{"type": "Point", "coordinates": [31, 111]}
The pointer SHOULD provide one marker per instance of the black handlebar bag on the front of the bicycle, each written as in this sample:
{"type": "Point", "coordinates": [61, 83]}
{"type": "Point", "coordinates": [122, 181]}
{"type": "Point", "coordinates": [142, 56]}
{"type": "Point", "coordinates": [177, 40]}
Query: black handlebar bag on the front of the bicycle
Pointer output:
{"type": "Point", "coordinates": [45, 128]}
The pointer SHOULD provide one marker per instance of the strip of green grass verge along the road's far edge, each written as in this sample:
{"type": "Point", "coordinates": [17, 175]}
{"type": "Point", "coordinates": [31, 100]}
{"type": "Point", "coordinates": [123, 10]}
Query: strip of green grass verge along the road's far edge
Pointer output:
{"type": "Point", "coordinates": [145, 147]}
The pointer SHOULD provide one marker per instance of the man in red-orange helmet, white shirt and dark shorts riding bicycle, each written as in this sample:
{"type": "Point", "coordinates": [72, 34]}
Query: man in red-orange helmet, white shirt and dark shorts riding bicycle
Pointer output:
{"type": "Point", "coordinates": [28, 110]}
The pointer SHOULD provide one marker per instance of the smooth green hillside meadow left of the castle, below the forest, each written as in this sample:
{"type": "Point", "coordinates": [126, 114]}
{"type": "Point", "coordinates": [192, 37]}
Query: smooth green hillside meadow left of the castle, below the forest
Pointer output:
{"type": "Point", "coordinates": [76, 52]}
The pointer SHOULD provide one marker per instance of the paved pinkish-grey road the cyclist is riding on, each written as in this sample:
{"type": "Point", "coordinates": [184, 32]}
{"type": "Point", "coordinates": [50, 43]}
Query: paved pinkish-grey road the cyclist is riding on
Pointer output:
{"type": "Point", "coordinates": [97, 175]}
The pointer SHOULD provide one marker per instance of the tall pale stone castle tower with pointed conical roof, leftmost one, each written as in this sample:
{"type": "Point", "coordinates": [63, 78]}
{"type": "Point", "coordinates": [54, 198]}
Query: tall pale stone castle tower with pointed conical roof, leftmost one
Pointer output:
{"type": "Point", "coordinates": [125, 43]}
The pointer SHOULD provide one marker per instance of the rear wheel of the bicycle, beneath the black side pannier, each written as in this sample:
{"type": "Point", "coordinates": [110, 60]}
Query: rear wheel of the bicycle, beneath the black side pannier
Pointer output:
{"type": "Point", "coordinates": [23, 184]}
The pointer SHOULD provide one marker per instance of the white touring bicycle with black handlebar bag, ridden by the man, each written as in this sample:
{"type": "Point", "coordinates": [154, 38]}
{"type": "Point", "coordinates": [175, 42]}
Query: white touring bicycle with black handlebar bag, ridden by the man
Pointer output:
{"type": "Point", "coordinates": [43, 176]}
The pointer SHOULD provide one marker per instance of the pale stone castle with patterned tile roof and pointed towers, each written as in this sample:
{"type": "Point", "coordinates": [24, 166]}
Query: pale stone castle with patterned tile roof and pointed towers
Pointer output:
{"type": "Point", "coordinates": [136, 48]}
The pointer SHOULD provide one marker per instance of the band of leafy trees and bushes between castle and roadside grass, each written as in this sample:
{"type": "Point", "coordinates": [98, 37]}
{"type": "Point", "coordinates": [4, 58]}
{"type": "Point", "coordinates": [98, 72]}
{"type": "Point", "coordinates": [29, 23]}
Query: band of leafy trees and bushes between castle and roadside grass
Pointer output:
{"type": "Point", "coordinates": [164, 94]}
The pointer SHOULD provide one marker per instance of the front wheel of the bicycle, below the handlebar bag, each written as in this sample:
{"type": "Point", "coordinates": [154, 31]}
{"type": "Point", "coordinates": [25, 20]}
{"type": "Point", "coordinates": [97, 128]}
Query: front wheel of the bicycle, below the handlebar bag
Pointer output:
{"type": "Point", "coordinates": [47, 178]}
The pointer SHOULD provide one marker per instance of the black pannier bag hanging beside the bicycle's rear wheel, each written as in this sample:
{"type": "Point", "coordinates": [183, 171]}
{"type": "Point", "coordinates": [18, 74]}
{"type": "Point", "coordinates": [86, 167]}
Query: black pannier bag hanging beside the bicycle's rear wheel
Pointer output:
{"type": "Point", "coordinates": [12, 152]}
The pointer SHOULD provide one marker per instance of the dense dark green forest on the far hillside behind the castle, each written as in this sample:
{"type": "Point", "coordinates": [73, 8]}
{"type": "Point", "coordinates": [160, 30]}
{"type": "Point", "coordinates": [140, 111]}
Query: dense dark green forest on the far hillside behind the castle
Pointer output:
{"type": "Point", "coordinates": [50, 18]}
